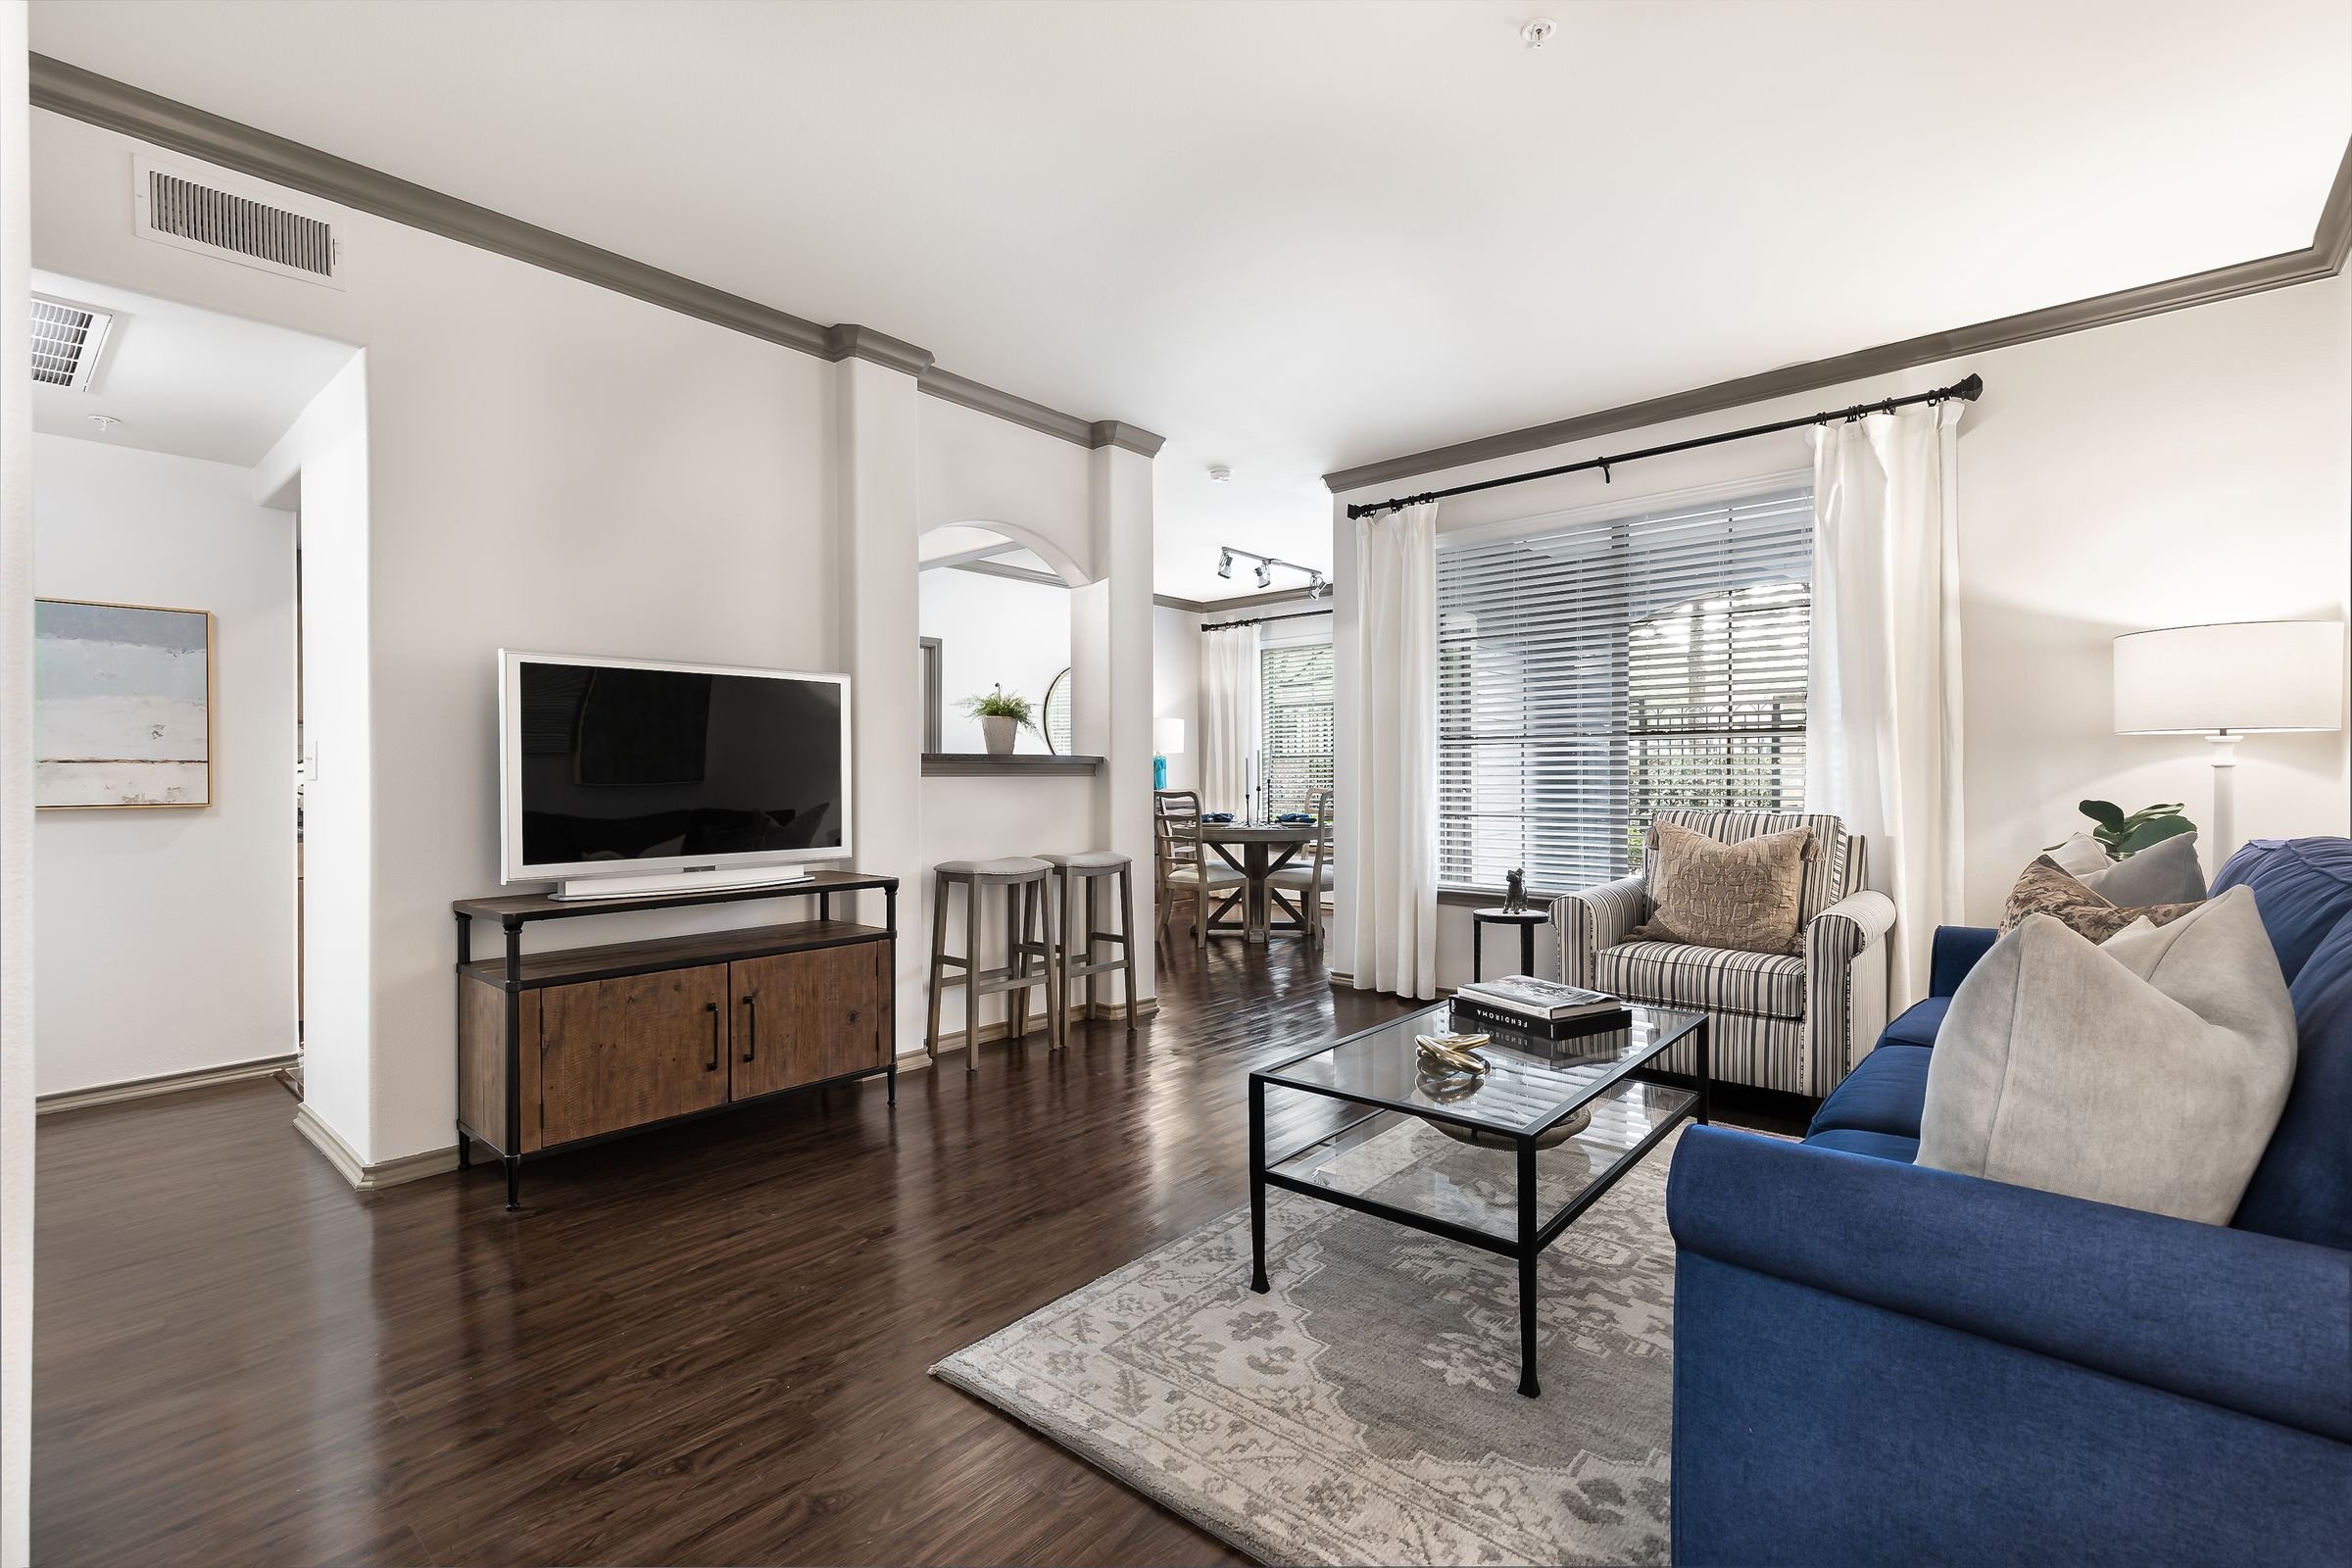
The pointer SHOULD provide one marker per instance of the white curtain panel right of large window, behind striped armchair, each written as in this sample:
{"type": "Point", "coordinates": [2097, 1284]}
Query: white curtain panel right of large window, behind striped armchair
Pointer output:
{"type": "Point", "coordinates": [1883, 737]}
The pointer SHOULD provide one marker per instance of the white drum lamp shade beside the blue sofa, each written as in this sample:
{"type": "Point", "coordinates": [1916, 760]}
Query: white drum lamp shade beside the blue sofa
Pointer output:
{"type": "Point", "coordinates": [2231, 678]}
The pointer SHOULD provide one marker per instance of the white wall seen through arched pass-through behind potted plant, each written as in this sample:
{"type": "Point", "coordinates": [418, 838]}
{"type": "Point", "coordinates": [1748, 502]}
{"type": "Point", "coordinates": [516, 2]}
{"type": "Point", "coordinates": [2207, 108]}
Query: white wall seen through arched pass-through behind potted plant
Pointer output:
{"type": "Point", "coordinates": [994, 631]}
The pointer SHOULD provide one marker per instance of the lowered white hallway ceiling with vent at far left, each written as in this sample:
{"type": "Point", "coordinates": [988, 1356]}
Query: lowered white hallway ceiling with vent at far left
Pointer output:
{"type": "Point", "coordinates": [189, 382]}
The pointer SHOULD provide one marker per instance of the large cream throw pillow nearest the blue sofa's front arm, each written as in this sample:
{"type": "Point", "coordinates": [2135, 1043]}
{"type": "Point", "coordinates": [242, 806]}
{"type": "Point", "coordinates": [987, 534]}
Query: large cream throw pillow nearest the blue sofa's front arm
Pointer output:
{"type": "Point", "coordinates": [2149, 1071]}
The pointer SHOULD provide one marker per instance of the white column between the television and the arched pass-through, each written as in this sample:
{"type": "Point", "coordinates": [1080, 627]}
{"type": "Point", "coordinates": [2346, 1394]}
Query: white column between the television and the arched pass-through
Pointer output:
{"type": "Point", "coordinates": [878, 591]}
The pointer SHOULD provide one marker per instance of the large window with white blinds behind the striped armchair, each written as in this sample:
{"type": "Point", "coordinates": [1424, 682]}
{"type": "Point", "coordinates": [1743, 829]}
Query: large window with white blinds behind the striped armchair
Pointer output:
{"type": "Point", "coordinates": [1601, 674]}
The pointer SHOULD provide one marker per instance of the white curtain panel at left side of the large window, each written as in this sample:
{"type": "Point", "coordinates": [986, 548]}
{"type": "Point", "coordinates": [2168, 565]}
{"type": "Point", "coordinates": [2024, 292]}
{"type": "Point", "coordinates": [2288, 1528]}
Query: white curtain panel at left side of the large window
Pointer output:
{"type": "Point", "coordinates": [1394, 753]}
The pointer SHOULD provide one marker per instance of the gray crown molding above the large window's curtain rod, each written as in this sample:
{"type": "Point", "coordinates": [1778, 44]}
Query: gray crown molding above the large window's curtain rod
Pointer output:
{"type": "Point", "coordinates": [2320, 260]}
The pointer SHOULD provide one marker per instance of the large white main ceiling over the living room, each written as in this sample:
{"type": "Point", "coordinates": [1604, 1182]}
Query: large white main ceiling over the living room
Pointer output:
{"type": "Point", "coordinates": [1302, 236]}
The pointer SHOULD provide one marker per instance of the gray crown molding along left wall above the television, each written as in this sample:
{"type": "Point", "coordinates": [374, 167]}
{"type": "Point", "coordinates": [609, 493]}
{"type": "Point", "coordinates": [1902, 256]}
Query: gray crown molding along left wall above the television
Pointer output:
{"type": "Point", "coordinates": [182, 128]}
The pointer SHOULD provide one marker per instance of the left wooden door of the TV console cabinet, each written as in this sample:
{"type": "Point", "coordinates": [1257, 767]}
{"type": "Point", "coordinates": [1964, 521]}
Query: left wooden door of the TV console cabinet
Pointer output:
{"type": "Point", "coordinates": [617, 1054]}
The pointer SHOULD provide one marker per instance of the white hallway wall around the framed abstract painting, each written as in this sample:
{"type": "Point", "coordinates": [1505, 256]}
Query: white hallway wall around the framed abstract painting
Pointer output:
{"type": "Point", "coordinates": [168, 937]}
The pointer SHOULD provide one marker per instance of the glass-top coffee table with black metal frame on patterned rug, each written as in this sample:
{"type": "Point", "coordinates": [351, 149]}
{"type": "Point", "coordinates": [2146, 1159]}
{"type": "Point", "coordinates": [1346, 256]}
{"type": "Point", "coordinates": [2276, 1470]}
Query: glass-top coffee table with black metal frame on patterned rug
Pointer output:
{"type": "Point", "coordinates": [1544, 1177]}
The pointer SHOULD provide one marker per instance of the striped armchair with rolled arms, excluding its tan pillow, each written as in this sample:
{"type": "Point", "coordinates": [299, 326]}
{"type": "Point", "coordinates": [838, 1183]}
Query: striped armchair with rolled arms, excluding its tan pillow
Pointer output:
{"type": "Point", "coordinates": [1779, 1021]}
